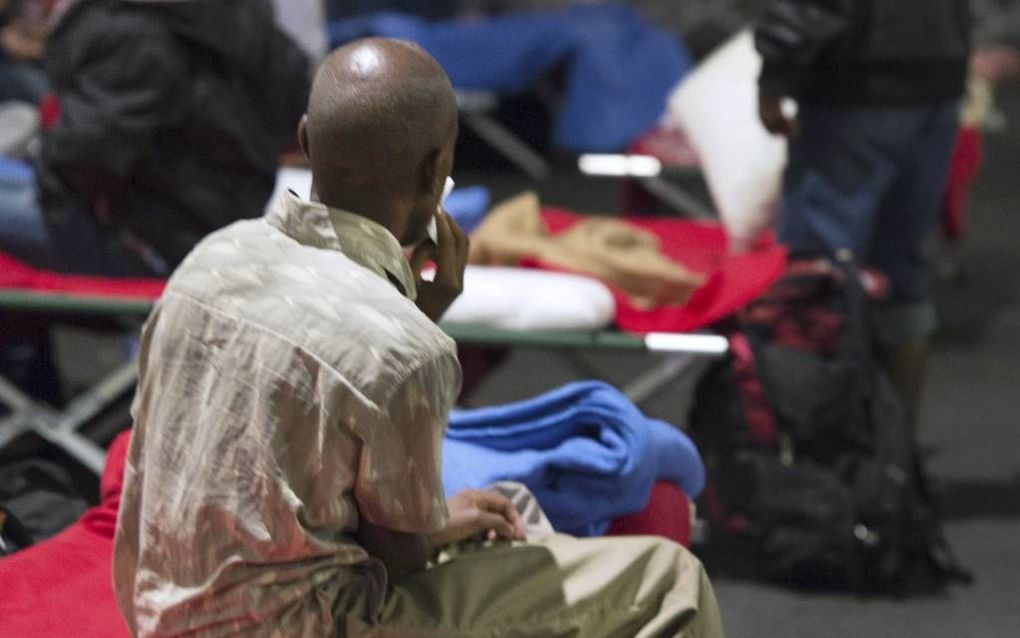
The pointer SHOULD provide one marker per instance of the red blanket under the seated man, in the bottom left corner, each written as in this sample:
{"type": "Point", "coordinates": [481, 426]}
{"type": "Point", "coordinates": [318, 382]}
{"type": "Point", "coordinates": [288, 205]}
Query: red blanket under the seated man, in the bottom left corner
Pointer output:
{"type": "Point", "coordinates": [64, 586]}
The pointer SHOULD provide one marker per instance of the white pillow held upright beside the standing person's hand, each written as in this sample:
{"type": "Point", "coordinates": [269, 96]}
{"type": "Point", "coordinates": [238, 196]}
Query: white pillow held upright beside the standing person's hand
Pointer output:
{"type": "Point", "coordinates": [718, 108]}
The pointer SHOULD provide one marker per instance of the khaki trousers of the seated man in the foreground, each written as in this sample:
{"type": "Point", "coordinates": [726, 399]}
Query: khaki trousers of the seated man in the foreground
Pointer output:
{"type": "Point", "coordinates": [556, 586]}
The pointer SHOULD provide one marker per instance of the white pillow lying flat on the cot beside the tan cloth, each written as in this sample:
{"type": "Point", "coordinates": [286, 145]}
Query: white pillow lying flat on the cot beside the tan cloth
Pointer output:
{"type": "Point", "coordinates": [528, 300]}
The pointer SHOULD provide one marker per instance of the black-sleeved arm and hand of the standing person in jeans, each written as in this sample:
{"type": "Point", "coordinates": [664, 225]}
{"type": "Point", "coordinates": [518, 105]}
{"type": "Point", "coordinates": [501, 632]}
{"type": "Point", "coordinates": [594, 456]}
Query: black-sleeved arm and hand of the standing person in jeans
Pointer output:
{"type": "Point", "coordinates": [790, 36]}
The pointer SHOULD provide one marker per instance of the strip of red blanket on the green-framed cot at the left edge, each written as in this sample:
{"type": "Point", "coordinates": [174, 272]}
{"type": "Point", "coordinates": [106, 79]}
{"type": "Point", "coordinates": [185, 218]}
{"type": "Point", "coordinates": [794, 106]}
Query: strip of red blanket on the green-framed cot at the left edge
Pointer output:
{"type": "Point", "coordinates": [15, 274]}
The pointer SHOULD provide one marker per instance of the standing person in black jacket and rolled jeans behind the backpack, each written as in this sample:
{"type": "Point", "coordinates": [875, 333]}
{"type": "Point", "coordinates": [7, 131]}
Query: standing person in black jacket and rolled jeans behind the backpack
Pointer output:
{"type": "Point", "coordinates": [879, 86]}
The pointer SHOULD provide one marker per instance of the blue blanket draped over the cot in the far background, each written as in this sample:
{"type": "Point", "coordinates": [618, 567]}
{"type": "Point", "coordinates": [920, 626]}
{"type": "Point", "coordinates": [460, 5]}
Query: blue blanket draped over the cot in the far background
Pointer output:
{"type": "Point", "coordinates": [621, 69]}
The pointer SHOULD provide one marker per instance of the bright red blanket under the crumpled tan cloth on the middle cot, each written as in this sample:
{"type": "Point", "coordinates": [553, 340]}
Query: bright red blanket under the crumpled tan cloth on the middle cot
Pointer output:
{"type": "Point", "coordinates": [734, 281]}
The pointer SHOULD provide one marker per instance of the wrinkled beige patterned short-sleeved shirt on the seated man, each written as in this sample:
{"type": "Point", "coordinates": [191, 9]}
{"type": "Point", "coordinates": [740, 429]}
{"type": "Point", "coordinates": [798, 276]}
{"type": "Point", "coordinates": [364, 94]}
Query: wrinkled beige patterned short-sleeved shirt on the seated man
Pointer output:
{"type": "Point", "coordinates": [289, 385]}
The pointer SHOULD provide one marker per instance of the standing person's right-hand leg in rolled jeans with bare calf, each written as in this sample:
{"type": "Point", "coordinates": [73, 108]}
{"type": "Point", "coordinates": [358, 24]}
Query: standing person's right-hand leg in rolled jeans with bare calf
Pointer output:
{"type": "Point", "coordinates": [909, 216]}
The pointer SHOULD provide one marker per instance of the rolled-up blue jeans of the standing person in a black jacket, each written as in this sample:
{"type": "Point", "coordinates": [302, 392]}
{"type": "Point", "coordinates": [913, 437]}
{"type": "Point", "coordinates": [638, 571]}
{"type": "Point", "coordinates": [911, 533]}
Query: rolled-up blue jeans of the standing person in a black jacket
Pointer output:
{"type": "Point", "coordinates": [873, 180]}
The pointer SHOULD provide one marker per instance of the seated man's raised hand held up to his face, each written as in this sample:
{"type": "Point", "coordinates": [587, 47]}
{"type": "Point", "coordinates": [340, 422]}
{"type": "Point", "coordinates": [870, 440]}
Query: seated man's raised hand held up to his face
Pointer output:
{"type": "Point", "coordinates": [450, 257]}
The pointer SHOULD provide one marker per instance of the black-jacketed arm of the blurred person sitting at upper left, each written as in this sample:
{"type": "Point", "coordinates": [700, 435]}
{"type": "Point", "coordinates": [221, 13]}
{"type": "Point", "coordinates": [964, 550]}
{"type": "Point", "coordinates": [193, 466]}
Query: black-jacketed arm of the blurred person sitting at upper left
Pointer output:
{"type": "Point", "coordinates": [129, 81]}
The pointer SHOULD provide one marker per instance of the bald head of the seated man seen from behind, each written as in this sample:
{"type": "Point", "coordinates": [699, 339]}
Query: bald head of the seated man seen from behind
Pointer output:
{"type": "Point", "coordinates": [379, 133]}
